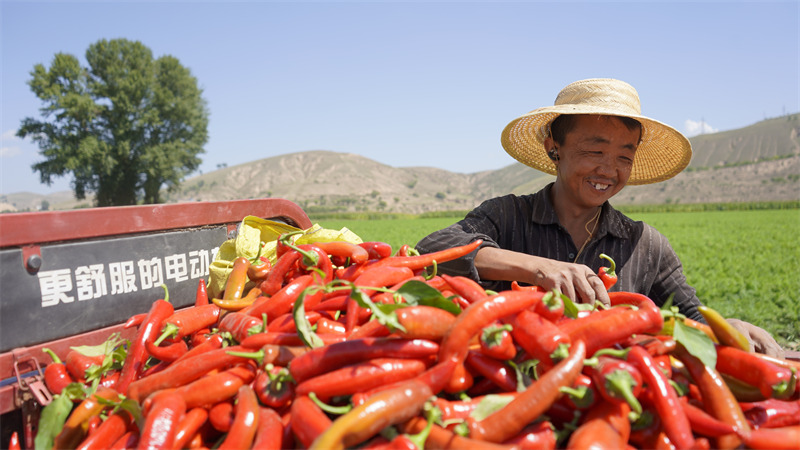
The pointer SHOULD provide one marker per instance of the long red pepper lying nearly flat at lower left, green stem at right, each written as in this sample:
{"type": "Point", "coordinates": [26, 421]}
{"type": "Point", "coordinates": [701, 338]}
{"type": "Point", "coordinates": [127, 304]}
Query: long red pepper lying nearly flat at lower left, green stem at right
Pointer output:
{"type": "Point", "coordinates": [184, 372]}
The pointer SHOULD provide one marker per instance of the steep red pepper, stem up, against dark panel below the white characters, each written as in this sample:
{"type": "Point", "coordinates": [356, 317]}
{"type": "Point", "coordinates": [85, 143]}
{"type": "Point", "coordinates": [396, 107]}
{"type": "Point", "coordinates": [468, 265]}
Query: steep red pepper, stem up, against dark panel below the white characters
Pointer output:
{"type": "Point", "coordinates": [137, 354]}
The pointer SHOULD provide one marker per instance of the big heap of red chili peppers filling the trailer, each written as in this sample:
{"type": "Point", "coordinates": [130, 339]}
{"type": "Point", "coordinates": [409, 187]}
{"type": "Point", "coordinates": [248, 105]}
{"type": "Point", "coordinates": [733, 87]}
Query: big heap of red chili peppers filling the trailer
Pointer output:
{"type": "Point", "coordinates": [338, 345]}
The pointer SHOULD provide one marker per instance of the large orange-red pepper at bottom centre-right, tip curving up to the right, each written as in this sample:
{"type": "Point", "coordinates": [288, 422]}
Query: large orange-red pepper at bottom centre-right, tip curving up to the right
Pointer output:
{"type": "Point", "coordinates": [531, 403]}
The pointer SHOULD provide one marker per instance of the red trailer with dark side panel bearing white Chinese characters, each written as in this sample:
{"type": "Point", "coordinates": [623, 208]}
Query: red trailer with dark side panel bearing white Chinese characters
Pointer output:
{"type": "Point", "coordinates": [72, 278]}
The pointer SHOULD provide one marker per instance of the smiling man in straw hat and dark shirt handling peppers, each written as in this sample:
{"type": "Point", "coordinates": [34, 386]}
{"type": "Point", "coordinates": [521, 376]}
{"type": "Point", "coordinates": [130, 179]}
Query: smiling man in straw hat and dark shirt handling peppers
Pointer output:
{"type": "Point", "coordinates": [595, 141]}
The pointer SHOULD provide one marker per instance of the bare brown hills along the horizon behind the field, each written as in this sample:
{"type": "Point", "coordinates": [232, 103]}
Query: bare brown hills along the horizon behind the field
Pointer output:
{"type": "Point", "coordinates": [756, 163]}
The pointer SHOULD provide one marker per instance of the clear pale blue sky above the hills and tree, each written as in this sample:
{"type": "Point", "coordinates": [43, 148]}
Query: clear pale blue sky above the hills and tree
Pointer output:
{"type": "Point", "coordinates": [412, 83]}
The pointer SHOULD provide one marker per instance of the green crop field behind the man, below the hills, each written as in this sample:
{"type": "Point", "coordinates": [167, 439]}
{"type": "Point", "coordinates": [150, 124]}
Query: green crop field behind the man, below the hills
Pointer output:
{"type": "Point", "coordinates": [744, 264]}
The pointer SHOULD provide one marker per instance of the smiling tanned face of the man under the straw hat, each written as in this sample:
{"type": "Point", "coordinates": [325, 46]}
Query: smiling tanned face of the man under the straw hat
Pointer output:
{"type": "Point", "coordinates": [595, 159]}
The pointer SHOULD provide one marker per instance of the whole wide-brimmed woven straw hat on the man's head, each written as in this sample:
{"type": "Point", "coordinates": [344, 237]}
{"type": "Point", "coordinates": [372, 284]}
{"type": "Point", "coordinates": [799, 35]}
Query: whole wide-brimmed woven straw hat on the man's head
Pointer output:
{"type": "Point", "coordinates": [662, 153]}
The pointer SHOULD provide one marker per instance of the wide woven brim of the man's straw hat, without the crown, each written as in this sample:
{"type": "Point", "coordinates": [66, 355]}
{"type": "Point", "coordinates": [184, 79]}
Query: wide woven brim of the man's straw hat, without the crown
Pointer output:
{"type": "Point", "coordinates": [662, 153]}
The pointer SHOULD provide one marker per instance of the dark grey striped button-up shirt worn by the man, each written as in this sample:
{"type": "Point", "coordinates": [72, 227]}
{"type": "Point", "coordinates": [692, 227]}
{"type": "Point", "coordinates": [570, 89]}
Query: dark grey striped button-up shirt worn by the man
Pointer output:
{"type": "Point", "coordinates": [646, 263]}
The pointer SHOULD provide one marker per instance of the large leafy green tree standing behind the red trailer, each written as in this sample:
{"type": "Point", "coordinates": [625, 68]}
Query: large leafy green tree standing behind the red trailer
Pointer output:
{"type": "Point", "coordinates": [124, 127]}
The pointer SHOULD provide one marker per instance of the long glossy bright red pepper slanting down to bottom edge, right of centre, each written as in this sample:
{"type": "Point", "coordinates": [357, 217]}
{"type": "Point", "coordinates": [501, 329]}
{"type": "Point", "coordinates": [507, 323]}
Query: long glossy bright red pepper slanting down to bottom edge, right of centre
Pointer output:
{"type": "Point", "coordinates": [676, 424]}
